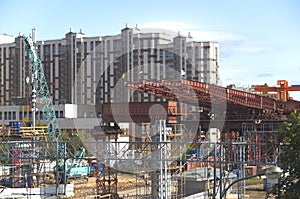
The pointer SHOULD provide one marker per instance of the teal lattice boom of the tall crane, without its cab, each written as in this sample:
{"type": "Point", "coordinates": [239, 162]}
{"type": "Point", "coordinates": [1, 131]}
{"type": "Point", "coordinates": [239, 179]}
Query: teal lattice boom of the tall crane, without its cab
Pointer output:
{"type": "Point", "coordinates": [41, 96]}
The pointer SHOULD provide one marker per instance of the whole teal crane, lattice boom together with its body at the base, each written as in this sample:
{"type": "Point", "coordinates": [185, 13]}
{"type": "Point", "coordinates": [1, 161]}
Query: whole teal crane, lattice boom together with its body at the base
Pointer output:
{"type": "Point", "coordinates": [42, 99]}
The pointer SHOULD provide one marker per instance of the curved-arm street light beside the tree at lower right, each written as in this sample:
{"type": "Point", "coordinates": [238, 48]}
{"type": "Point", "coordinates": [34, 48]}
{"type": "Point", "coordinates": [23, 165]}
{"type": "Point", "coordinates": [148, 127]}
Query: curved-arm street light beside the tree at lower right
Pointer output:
{"type": "Point", "coordinates": [271, 172]}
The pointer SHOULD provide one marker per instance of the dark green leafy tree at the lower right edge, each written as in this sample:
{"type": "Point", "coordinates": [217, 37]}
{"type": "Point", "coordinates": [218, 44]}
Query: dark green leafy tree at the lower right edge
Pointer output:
{"type": "Point", "coordinates": [288, 144]}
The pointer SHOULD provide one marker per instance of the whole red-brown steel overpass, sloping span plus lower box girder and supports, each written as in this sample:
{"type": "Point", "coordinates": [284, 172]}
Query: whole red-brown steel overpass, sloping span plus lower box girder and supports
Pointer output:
{"type": "Point", "coordinates": [201, 106]}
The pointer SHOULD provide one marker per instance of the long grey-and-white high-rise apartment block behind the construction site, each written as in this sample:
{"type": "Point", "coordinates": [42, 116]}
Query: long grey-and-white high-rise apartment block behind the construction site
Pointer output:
{"type": "Point", "coordinates": [91, 70]}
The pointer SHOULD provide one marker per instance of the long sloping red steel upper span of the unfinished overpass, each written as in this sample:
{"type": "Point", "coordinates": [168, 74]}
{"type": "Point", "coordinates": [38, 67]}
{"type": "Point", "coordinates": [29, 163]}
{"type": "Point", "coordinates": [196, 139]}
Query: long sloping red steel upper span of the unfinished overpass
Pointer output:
{"type": "Point", "coordinates": [199, 93]}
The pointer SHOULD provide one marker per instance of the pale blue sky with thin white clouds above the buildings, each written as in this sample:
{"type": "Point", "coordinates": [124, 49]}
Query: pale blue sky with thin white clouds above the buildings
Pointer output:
{"type": "Point", "coordinates": [259, 39]}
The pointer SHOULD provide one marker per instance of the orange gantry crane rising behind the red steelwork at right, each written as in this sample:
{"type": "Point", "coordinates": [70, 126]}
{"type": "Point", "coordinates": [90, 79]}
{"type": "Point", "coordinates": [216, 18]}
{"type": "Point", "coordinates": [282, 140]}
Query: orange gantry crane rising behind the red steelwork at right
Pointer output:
{"type": "Point", "coordinates": [282, 89]}
